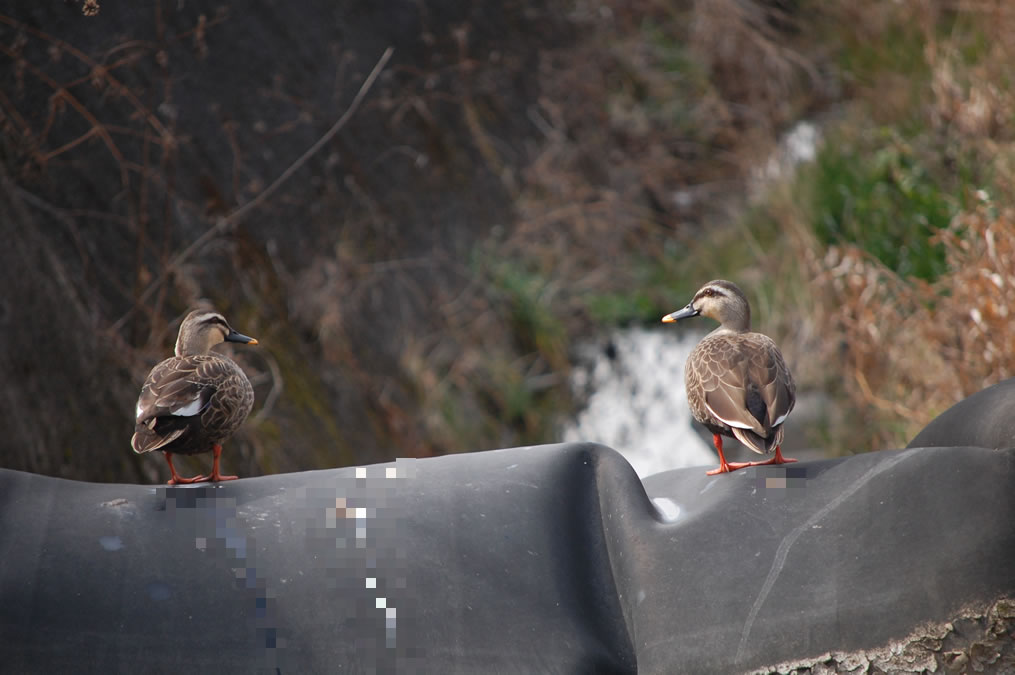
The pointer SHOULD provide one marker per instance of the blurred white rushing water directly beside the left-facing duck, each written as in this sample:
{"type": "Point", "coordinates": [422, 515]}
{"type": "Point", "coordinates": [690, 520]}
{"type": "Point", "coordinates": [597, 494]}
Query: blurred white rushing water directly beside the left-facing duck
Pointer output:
{"type": "Point", "coordinates": [637, 402]}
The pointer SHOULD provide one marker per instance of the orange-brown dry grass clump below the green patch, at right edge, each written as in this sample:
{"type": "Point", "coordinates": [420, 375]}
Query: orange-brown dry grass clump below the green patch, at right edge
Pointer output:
{"type": "Point", "coordinates": [914, 349]}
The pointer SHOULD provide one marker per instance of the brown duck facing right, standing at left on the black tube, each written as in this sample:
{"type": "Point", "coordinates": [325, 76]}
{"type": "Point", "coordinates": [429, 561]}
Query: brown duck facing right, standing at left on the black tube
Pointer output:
{"type": "Point", "coordinates": [194, 401]}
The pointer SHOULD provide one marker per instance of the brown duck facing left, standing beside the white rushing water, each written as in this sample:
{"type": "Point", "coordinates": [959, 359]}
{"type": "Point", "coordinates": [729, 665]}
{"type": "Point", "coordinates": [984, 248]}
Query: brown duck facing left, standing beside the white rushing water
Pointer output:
{"type": "Point", "coordinates": [738, 384]}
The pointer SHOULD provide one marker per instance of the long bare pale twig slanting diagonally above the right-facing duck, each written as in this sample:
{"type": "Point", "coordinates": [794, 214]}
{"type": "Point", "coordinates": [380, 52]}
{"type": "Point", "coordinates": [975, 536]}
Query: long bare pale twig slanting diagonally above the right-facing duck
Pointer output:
{"type": "Point", "coordinates": [239, 215]}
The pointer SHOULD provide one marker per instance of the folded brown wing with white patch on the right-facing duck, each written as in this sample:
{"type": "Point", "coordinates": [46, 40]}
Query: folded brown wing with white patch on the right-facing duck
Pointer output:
{"type": "Point", "coordinates": [176, 393]}
